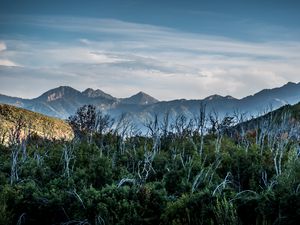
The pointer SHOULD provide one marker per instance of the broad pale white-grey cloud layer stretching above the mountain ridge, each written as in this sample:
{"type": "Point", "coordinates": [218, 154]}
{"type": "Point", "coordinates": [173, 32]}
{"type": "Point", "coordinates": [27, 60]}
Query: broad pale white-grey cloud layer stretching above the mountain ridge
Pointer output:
{"type": "Point", "coordinates": [122, 58]}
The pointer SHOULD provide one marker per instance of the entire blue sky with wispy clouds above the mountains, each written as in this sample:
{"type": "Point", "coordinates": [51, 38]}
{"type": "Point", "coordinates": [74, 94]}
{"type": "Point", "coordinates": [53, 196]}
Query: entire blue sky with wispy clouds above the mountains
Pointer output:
{"type": "Point", "coordinates": [168, 49]}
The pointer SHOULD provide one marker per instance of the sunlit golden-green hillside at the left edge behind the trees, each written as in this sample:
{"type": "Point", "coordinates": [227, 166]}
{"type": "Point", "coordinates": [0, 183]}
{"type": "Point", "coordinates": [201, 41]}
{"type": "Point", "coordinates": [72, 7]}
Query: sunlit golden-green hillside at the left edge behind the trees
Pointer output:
{"type": "Point", "coordinates": [31, 122]}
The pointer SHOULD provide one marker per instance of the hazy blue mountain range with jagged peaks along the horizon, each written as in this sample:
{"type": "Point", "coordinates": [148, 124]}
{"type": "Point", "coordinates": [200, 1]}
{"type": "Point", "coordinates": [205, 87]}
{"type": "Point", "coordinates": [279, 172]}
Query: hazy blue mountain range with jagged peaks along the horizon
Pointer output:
{"type": "Point", "coordinates": [63, 101]}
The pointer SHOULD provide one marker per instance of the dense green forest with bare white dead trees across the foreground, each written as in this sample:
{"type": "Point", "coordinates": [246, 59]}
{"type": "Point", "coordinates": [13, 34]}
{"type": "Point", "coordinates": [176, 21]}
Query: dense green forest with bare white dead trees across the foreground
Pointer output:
{"type": "Point", "coordinates": [200, 170]}
